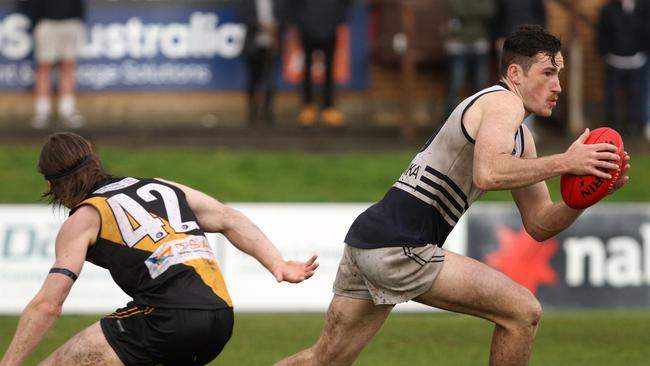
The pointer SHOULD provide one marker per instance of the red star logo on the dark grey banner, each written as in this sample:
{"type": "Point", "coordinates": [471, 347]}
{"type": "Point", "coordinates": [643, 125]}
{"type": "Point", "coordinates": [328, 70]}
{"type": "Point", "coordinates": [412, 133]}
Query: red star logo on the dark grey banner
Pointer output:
{"type": "Point", "coordinates": [523, 259]}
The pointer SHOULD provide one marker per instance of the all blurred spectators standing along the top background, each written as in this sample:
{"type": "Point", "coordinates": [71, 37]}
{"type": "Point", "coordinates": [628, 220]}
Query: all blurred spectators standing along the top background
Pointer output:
{"type": "Point", "coordinates": [474, 37]}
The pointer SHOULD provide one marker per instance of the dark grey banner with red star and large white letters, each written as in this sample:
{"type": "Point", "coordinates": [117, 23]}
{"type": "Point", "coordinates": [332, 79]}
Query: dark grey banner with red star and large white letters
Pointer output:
{"type": "Point", "coordinates": [601, 261]}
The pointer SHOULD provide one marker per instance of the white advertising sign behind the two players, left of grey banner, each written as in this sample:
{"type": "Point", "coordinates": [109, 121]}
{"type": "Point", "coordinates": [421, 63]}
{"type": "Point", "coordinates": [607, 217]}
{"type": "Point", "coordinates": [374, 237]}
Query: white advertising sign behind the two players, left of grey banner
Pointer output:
{"type": "Point", "coordinates": [27, 234]}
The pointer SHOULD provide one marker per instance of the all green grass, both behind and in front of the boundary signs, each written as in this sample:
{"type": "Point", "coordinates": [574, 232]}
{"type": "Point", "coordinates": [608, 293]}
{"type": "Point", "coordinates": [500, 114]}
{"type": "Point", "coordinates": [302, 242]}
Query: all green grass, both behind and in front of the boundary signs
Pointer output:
{"type": "Point", "coordinates": [576, 338]}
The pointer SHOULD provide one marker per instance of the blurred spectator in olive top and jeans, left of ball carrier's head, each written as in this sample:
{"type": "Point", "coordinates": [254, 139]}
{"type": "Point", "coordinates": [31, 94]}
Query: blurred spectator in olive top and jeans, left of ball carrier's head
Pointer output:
{"type": "Point", "coordinates": [468, 46]}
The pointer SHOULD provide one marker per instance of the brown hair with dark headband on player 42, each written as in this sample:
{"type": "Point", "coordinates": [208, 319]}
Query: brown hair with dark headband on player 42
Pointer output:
{"type": "Point", "coordinates": [71, 166]}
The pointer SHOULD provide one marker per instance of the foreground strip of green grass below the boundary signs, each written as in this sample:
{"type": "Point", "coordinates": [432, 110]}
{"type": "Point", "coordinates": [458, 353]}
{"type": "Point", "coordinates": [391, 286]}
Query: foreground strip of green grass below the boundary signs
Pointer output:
{"type": "Point", "coordinates": [576, 338]}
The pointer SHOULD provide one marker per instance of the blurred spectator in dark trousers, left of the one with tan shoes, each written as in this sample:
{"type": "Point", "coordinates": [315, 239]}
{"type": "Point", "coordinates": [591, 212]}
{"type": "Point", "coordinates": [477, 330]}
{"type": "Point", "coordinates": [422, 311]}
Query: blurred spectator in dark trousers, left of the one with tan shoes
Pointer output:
{"type": "Point", "coordinates": [264, 21]}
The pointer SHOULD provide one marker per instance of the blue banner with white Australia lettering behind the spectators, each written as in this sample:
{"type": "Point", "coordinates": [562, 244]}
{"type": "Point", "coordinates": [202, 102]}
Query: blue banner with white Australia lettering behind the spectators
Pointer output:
{"type": "Point", "coordinates": [170, 45]}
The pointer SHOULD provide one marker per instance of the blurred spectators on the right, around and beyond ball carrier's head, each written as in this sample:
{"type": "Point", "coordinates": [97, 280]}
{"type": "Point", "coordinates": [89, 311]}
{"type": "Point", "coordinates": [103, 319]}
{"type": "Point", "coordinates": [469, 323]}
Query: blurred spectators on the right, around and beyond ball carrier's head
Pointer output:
{"type": "Point", "coordinates": [623, 41]}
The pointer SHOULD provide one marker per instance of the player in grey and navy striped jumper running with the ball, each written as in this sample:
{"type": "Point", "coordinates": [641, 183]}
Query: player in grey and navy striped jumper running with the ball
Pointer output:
{"type": "Point", "coordinates": [393, 250]}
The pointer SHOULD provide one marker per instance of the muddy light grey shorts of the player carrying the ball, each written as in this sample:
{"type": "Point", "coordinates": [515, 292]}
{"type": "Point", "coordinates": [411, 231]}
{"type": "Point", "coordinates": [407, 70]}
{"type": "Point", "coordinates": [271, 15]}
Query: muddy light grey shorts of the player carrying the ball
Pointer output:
{"type": "Point", "coordinates": [390, 275]}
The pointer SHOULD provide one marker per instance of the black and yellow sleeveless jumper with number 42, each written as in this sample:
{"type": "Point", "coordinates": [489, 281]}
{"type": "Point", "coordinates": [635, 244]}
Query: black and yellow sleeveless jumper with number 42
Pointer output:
{"type": "Point", "coordinates": [193, 283]}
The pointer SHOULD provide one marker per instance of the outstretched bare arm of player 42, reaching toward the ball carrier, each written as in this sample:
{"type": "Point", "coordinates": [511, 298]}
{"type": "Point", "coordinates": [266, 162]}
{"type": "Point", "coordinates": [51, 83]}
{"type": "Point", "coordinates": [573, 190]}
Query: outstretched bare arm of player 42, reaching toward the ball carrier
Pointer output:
{"type": "Point", "coordinates": [213, 216]}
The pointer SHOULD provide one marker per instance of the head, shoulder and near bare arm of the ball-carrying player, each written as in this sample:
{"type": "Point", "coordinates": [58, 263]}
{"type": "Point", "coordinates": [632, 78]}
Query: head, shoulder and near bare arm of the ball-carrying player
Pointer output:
{"type": "Point", "coordinates": [497, 116]}
